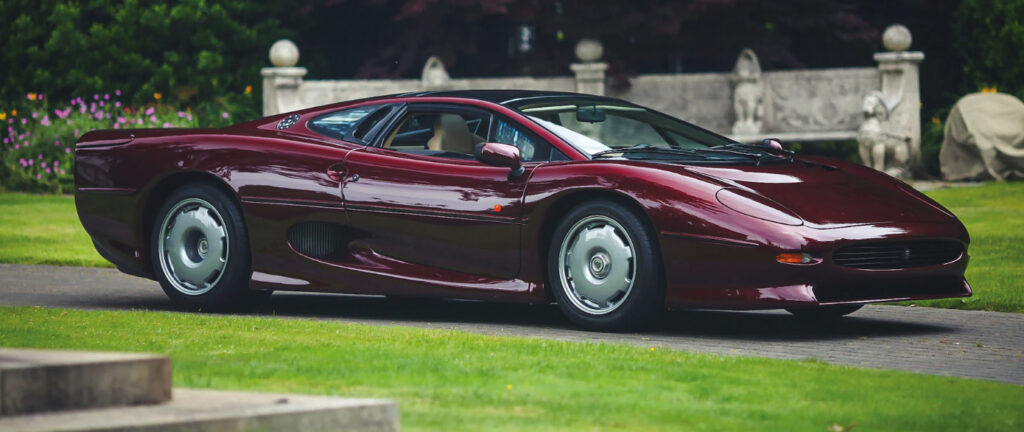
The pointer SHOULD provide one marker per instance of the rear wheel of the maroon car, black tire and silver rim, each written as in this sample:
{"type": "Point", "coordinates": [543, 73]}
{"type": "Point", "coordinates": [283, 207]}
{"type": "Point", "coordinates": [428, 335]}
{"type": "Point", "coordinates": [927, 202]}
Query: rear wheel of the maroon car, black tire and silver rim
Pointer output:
{"type": "Point", "coordinates": [228, 286]}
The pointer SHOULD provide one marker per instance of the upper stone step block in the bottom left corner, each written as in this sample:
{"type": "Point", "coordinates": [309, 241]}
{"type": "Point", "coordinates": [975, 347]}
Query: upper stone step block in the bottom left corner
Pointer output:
{"type": "Point", "coordinates": [37, 381]}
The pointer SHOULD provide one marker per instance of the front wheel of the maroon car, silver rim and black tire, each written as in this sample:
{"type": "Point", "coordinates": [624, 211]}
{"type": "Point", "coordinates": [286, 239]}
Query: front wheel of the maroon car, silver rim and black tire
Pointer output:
{"type": "Point", "coordinates": [605, 269]}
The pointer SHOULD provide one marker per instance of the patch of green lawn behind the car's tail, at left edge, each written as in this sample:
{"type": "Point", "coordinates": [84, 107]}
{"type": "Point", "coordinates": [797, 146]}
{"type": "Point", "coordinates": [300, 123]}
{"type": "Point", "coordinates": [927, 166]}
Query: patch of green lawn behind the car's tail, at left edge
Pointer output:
{"type": "Point", "coordinates": [45, 230]}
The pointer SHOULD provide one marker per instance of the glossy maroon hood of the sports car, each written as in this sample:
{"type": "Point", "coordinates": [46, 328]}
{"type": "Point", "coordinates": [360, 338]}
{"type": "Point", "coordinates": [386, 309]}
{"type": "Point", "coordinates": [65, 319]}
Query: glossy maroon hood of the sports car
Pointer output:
{"type": "Point", "coordinates": [830, 196]}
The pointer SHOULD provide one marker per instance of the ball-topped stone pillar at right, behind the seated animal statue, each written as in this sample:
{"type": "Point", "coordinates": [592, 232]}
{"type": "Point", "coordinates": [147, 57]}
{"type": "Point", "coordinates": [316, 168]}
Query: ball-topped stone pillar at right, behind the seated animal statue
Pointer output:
{"type": "Point", "coordinates": [902, 89]}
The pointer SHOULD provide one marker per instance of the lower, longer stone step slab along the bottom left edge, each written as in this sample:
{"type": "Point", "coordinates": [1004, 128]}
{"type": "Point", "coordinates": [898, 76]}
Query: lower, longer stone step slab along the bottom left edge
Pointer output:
{"type": "Point", "coordinates": [207, 411]}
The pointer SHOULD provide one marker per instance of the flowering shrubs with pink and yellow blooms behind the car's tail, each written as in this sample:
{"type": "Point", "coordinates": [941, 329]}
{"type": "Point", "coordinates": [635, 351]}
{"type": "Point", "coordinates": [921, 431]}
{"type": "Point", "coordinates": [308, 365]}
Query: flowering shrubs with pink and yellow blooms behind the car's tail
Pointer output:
{"type": "Point", "coordinates": [37, 151]}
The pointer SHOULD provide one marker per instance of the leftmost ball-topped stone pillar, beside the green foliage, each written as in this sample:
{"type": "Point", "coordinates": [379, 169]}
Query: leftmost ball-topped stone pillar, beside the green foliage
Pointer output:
{"type": "Point", "coordinates": [281, 83]}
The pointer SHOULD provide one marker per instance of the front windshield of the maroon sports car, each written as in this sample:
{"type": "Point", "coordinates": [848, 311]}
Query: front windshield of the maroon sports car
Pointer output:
{"type": "Point", "coordinates": [605, 129]}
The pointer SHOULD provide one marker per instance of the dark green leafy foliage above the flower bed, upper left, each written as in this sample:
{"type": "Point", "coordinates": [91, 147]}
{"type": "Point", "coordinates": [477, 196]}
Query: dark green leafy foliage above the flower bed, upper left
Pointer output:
{"type": "Point", "coordinates": [185, 51]}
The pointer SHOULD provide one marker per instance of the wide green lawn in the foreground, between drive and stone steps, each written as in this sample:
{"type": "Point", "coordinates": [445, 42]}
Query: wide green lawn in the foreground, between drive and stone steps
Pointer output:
{"type": "Point", "coordinates": [448, 380]}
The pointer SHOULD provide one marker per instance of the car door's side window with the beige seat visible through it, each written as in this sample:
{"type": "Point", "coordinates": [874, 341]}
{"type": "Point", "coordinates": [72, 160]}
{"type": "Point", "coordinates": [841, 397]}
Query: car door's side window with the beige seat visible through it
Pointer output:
{"type": "Point", "coordinates": [439, 134]}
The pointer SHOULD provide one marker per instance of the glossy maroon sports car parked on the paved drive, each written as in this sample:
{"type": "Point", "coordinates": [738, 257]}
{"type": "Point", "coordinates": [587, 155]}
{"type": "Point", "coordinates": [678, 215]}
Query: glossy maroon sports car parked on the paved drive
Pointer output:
{"type": "Point", "coordinates": [612, 210]}
